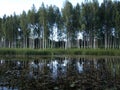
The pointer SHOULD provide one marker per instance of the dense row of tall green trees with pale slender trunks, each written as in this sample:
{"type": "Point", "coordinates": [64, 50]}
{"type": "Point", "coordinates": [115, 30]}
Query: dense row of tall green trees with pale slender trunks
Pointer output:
{"type": "Point", "coordinates": [99, 25]}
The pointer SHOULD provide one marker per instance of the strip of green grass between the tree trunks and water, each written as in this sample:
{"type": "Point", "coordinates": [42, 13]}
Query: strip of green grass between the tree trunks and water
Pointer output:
{"type": "Point", "coordinates": [97, 52]}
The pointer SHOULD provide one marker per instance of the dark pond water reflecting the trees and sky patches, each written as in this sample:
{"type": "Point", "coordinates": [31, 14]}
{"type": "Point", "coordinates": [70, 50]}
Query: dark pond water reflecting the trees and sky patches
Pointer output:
{"type": "Point", "coordinates": [60, 74]}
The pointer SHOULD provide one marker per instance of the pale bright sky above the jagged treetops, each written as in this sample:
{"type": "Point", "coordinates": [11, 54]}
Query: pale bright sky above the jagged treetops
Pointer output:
{"type": "Point", "coordinates": [8, 7]}
